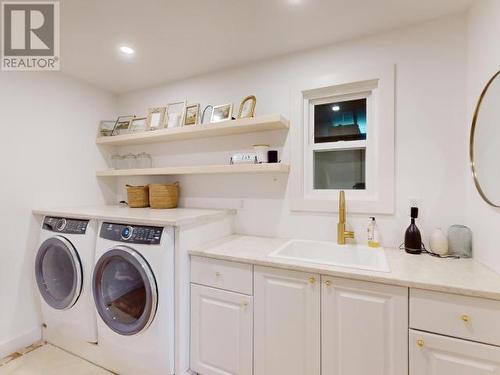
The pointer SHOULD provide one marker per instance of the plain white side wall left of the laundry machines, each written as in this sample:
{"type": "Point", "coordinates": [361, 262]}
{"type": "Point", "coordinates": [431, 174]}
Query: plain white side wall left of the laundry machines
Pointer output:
{"type": "Point", "coordinates": [48, 158]}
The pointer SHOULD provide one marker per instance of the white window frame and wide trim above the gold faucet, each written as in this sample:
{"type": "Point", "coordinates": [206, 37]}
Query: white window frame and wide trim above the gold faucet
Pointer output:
{"type": "Point", "coordinates": [377, 85]}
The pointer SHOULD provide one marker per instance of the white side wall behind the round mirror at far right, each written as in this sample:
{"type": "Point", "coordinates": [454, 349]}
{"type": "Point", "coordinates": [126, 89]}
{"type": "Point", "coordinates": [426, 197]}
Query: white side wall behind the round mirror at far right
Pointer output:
{"type": "Point", "coordinates": [483, 62]}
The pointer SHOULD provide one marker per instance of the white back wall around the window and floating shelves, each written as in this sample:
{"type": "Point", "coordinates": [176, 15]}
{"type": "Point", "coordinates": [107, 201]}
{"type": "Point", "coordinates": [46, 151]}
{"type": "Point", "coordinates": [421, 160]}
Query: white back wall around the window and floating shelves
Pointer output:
{"type": "Point", "coordinates": [430, 90]}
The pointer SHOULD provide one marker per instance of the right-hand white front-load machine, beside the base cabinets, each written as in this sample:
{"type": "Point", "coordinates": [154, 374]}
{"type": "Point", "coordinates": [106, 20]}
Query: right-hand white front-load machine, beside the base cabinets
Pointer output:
{"type": "Point", "coordinates": [133, 288]}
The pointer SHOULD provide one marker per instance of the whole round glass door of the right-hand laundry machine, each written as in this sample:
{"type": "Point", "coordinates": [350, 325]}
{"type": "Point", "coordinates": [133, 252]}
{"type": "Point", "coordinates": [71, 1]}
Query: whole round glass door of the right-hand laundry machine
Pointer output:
{"type": "Point", "coordinates": [125, 291]}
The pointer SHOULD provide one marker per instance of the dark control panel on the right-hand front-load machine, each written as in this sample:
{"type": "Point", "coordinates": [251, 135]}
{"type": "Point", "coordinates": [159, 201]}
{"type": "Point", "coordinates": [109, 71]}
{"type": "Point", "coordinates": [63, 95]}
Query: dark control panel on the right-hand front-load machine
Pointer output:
{"type": "Point", "coordinates": [138, 234]}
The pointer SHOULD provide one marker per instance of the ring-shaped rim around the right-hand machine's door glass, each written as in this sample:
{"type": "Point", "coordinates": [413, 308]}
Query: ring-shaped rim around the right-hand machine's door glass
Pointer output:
{"type": "Point", "coordinates": [149, 279]}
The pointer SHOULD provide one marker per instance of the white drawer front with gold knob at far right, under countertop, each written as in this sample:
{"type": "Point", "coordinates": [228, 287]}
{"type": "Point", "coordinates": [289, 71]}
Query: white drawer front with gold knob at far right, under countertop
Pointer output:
{"type": "Point", "coordinates": [469, 318]}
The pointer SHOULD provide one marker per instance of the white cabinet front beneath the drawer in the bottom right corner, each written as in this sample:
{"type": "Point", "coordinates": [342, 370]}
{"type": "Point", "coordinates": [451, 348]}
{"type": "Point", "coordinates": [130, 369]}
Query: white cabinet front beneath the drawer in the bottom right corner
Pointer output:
{"type": "Point", "coordinates": [431, 354]}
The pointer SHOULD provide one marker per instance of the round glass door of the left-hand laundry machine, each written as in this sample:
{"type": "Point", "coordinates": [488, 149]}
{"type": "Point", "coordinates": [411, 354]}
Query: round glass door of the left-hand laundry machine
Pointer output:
{"type": "Point", "coordinates": [58, 273]}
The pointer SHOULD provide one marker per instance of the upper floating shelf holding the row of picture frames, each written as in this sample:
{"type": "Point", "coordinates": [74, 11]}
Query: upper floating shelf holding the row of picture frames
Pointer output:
{"type": "Point", "coordinates": [240, 126]}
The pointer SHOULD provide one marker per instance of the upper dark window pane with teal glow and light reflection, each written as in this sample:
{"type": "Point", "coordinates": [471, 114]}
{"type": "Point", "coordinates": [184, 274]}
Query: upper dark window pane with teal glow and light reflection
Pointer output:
{"type": "Point", "coordinates": [340, 121]}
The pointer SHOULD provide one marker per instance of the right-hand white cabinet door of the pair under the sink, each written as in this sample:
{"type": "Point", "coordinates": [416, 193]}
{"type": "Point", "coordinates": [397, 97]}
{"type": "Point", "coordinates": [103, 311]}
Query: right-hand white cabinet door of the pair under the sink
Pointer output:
{"type": "Point", "coordinates": [364, 328]}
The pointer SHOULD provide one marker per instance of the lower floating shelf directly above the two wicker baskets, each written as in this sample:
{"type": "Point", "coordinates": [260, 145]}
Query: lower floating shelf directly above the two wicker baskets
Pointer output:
{"type": "Point", "coordinates": [199, 169]}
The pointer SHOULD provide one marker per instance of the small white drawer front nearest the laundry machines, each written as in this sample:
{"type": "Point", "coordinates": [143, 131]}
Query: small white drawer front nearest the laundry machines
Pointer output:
{"type": "Point", "coordinates": [236, 277]}
